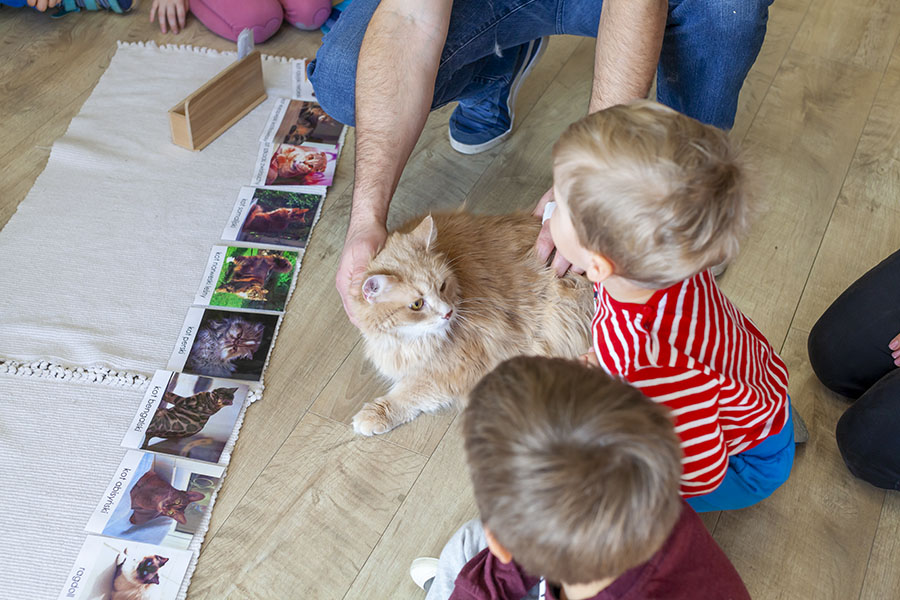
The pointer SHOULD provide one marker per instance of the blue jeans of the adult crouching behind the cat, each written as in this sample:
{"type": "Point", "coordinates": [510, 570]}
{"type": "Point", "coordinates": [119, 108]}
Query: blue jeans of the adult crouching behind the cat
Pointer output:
{"type": "Point", "coordinates": [708, 48]}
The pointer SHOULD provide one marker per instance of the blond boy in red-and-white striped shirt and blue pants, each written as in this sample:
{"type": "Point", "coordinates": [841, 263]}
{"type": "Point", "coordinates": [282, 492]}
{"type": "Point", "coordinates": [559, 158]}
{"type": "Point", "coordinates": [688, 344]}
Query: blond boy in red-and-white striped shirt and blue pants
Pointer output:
{"type": "Point", "coordinates": [648, 201]}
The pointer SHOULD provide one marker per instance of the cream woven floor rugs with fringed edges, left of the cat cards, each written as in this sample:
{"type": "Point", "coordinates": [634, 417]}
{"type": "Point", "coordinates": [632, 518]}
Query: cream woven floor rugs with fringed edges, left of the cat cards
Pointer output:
{"type": "Point", "coordinates": [103, 259]}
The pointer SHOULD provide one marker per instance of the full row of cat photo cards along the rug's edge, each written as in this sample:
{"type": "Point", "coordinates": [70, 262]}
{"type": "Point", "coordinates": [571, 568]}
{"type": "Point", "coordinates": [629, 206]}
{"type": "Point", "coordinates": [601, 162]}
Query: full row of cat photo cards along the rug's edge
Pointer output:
{"type": "Point", "coordinates": [145, 527]}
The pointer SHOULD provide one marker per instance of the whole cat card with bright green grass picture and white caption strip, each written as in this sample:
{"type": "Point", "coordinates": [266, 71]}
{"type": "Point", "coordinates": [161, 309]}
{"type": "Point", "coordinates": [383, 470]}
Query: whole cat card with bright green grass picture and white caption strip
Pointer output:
{"type": "Point", "coordinates": [249, 278]}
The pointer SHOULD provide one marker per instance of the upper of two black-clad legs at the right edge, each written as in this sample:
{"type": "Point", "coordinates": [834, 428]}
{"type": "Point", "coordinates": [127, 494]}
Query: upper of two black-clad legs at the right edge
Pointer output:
{"type": "Point", "coordinates": [848, 346]}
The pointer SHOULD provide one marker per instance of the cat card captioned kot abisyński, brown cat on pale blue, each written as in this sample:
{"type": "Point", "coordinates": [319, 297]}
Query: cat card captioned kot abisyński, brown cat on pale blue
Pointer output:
{"type": "Point", "coordinates": [156, 499]}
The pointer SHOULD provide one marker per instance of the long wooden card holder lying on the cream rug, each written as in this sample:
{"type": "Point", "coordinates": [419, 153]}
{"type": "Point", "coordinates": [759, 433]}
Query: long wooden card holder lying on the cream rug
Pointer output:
{"type": "Point", "coordinates": [218, 104]}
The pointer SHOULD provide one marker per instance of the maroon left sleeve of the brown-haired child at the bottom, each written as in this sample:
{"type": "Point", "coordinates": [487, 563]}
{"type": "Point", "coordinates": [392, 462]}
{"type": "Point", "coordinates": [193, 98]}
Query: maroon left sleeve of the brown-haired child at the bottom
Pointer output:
{"type": "Point", "coordinates": [486, 578]}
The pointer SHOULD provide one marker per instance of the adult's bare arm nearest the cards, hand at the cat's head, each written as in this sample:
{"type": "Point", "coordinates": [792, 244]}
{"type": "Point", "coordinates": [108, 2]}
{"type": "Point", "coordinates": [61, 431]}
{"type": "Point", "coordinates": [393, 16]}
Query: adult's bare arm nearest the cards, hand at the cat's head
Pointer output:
{"type": "Point", "coordinates": [395, 75]}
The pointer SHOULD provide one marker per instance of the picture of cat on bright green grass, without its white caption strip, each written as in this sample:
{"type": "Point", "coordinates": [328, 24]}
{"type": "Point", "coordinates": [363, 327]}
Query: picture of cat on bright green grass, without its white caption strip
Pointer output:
{"type": "Point", "coordinates": [255, 278]}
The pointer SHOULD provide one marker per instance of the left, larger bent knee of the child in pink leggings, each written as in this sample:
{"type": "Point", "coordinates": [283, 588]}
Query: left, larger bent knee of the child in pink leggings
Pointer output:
{"type": "Point", "coordinates": [229, 17]}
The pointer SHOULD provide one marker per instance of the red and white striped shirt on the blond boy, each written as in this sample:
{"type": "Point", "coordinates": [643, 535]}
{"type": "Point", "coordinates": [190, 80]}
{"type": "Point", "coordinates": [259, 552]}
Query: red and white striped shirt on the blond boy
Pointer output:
{"type": "Point", "coordinates": [690, 349]}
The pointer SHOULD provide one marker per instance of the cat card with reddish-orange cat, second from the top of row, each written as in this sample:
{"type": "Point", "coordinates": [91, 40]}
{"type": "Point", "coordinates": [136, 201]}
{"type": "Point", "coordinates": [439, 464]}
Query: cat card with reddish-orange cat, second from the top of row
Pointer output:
{"type": "Point", "coordinates": [290, 165]}
